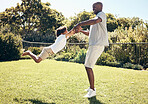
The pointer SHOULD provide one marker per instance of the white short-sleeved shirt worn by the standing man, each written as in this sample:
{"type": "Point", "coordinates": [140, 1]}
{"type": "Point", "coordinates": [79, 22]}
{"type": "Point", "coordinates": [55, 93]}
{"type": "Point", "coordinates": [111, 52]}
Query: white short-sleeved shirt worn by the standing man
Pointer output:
{"type": "Point", "coordinates": [98, 32]}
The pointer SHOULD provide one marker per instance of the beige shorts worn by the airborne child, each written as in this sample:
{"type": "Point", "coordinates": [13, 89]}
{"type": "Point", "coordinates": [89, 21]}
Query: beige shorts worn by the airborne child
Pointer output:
{"type": "Point", "coordinates": [46, 52]}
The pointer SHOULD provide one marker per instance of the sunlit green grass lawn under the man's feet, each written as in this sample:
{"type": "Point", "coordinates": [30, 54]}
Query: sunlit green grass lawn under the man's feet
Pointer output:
{"type": "Point", "coordinates": [53, 82]}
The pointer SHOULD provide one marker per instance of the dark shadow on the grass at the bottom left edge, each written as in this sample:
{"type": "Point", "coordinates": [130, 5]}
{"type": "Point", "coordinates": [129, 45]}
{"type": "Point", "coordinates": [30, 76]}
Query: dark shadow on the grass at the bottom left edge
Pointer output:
{"type": "Point", "coordinates": [33, 101]}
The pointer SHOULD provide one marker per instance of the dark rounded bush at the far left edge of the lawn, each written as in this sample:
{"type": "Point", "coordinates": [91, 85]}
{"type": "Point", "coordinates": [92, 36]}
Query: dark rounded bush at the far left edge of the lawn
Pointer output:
{"type": "Point", "coordinates": [10, 46]}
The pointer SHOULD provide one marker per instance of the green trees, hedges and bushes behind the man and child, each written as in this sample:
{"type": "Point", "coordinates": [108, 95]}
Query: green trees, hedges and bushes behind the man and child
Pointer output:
{"type": "Point", "coordinates": [34, 21]}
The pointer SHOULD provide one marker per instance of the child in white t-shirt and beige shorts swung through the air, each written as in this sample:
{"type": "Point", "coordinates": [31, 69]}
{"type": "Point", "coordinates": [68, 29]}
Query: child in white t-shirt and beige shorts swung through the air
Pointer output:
{"type": "Point", "coordinates": [60, 42]}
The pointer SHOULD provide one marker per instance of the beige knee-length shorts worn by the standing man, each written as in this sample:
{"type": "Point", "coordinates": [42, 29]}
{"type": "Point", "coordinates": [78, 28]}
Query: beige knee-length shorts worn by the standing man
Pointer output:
{"type": "Point", "coordinates": [92, 55]}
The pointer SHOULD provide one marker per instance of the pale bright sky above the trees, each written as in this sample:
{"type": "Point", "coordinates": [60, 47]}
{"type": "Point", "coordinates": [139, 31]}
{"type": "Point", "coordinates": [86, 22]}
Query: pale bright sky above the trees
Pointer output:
{"type": "Point", "coordinates": [120, 8]}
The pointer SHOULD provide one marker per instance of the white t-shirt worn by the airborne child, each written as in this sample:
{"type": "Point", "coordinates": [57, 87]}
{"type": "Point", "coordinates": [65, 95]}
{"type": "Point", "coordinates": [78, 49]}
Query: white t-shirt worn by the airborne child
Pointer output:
{"type": "Point", "coordinates": [59, 44]}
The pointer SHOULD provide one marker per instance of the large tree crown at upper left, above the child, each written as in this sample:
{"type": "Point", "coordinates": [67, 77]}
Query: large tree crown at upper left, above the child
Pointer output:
{"type": "Point", "coordinates": [32, 17]}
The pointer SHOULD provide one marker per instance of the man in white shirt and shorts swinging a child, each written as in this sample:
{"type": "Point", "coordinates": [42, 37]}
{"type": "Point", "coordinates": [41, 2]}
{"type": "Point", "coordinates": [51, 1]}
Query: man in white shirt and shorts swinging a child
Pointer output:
{"type": "Point", "coordinates": [98, 39]}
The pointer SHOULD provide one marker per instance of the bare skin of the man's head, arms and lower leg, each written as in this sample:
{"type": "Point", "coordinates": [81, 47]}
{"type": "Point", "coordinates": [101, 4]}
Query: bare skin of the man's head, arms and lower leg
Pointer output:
{"type": "Point", "coordinates": [97, 7]}
